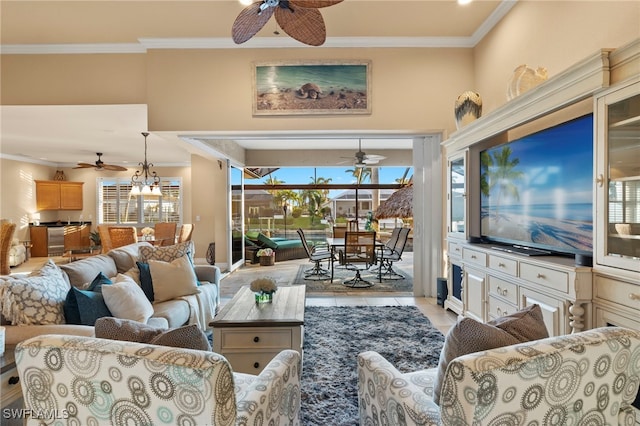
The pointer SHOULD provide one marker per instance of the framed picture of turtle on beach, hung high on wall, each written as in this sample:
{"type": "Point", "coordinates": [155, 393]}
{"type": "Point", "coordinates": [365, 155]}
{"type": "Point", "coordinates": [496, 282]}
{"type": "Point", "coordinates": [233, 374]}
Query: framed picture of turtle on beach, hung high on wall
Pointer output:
{"type": "Point", "coordinates": [305, 88]}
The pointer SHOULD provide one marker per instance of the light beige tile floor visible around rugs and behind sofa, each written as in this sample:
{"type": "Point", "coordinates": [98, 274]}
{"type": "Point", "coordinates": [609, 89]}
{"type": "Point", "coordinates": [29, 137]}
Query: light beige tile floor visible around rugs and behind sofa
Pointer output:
{"type": "Point", "coordinates": [285, 272]}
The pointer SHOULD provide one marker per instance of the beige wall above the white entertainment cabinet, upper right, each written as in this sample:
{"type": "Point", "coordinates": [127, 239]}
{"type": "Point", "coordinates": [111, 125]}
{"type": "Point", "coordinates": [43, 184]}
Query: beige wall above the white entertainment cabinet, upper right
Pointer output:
{"type": "Point", "coordinates": [550, 34]}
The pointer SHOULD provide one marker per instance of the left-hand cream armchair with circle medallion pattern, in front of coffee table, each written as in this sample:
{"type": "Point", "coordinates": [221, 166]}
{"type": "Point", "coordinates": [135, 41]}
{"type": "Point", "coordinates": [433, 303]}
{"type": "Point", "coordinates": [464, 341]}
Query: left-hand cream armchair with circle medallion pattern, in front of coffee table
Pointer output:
{"type": "Point", "coordinates": [90, 381]}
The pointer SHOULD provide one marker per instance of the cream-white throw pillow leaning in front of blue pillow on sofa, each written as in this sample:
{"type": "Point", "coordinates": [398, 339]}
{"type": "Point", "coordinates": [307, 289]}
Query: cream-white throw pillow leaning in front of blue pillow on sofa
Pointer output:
{"type": "Point", "coordinates": [125, 299]}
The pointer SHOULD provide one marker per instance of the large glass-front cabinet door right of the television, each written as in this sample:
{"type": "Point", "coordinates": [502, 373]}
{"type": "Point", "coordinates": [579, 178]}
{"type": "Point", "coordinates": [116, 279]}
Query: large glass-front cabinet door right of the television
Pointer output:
{"type": "Point", "coordinates": [618, 178]}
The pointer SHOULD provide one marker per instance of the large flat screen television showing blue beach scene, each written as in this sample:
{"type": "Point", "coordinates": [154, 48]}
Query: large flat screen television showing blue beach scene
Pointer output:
{"type": "Point", "coordinates": [537, 191]}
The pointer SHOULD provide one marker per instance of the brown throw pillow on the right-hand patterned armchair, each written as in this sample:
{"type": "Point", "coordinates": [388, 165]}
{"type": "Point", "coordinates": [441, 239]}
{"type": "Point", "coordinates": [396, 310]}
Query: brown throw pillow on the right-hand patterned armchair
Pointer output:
{"type": "Point", "coordinates": [468, 336]}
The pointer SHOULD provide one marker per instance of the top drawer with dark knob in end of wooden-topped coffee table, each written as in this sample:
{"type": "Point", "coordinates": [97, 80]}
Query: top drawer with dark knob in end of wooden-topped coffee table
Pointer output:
{"type": "Point", "coordinates": [257, 338]}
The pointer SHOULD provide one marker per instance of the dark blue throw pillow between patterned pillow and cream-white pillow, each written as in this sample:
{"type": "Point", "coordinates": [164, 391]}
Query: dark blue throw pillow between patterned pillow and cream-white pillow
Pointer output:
{"type": "Point", "coordinates": [83, 307]}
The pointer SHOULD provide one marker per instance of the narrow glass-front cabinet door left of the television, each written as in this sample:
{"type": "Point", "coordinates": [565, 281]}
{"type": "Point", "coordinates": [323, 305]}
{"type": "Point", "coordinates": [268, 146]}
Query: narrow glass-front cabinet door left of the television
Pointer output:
{"type": "Point", "coordinates": [456, 196]}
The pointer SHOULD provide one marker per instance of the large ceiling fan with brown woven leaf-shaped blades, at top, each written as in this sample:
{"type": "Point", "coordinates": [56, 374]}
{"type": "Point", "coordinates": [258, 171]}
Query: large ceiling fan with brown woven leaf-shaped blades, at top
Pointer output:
{"type": "Point", "coordinates": [301, 19]}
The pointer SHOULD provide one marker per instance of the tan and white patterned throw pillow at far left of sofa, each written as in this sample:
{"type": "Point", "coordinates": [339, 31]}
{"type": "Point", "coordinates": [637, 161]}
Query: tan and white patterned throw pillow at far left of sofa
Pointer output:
{"type": "Point", "coordinates": [37, 299]}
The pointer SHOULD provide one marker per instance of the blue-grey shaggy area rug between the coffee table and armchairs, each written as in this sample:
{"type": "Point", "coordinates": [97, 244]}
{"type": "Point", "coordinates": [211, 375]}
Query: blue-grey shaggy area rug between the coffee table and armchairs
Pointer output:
{"type": "Point", "coordinates": [333, 338]}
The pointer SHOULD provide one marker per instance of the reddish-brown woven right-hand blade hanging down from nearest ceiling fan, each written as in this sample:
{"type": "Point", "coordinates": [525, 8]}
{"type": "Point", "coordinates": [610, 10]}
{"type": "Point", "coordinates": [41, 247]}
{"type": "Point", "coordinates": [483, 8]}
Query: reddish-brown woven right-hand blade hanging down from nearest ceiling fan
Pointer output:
{"type": "Point", "coordinates": [304, 24]}
